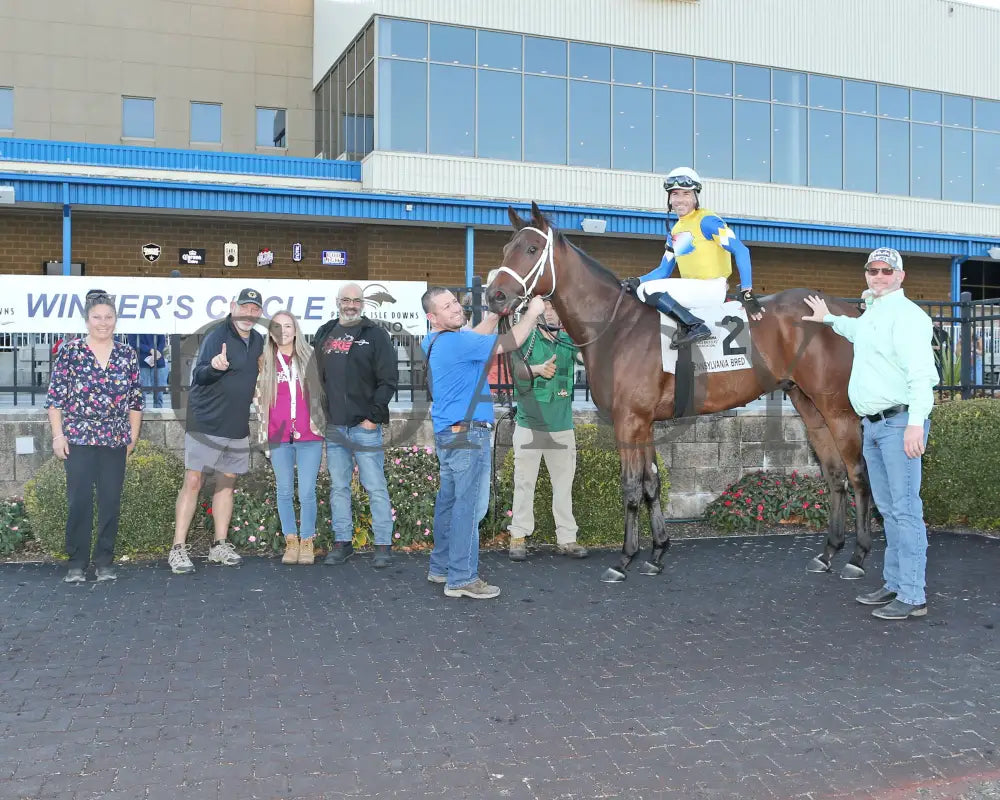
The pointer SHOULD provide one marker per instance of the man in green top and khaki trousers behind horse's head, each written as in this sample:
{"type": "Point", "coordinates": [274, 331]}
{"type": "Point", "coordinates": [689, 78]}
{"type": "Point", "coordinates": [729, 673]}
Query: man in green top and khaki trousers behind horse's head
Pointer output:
{"type": "Point", "coordinates": [543, 382]}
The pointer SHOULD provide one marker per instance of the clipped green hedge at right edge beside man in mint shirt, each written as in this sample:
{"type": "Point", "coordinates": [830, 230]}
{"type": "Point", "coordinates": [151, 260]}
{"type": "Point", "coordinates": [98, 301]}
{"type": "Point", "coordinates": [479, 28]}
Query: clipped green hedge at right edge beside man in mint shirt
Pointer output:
{"type": "Point", "coordinates": [961, 484]}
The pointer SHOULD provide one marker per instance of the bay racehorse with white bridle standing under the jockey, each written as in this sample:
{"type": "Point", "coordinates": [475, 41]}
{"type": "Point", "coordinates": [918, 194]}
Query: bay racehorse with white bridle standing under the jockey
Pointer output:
{"type": "Point", "coordinates": [620, 339]}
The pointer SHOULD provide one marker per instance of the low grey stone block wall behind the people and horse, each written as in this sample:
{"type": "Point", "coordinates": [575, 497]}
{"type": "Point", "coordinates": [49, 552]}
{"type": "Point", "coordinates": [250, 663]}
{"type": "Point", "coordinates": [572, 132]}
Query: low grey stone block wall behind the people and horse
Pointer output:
{"type": "Point", "coordinates": [704, 455]}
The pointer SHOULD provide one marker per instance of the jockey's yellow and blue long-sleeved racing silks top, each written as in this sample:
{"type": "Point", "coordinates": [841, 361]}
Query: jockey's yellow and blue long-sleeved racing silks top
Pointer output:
{"type": "Point", "coordinates": [704, 246]}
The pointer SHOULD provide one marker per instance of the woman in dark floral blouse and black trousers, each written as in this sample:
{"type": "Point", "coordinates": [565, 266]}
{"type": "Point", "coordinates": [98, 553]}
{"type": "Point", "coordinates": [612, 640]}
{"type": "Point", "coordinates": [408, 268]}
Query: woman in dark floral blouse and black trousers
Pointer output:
{"type": "Point", "coordinates": [95, 410]}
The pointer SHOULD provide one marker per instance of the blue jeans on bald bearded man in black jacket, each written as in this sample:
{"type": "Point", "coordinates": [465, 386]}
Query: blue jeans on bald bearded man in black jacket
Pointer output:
{"type": "Point", "coordinates": [346, 446]}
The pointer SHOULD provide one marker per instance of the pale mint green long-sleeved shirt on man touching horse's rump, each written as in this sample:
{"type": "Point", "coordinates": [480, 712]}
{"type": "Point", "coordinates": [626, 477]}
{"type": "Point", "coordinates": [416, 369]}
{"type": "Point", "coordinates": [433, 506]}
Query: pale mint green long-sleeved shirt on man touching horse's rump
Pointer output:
{"type": "Point", "coordinates": [893, 358]}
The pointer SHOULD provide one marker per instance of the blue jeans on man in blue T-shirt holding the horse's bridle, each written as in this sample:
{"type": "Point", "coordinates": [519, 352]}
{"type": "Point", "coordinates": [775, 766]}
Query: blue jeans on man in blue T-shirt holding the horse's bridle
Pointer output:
{"type": "Point", "coordinates": [461, 504]}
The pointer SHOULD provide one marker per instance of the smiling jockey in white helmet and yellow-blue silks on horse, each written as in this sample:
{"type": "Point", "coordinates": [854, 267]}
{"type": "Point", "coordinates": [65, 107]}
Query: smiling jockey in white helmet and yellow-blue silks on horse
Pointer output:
{"type": "Point", "coordinates": [702, 246]}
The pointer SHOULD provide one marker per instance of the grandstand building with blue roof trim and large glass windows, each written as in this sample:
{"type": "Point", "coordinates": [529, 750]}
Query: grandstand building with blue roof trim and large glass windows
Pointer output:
{"type": "Point", "coordinates": [398, 131]}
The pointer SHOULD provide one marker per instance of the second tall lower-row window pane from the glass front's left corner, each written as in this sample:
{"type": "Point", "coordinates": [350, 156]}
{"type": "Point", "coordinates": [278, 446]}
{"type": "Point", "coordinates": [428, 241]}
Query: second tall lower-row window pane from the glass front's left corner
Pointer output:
{"type": "Point", "coordinates": [452, 111]}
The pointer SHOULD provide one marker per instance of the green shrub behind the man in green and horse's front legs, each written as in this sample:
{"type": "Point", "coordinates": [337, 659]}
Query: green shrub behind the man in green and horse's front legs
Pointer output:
{"type": "Point", "coordinates": [597, 492]}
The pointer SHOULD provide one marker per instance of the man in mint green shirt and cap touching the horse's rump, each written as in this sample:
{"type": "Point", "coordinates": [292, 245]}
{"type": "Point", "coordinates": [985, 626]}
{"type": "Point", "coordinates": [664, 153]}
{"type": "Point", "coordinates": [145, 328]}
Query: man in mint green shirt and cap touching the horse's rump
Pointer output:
{"type": "Point", "coordinates": [892, 390]}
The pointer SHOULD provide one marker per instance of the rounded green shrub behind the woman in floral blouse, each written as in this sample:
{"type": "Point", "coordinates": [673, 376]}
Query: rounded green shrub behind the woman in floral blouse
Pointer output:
{"type": "Point", "coordinates": [153, 478]}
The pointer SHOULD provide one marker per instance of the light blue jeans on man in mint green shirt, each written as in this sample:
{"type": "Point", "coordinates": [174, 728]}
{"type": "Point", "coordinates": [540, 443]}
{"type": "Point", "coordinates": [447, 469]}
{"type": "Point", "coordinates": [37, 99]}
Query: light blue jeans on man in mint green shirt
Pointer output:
{"type": "Point", "coordinates": [895, 482]}
